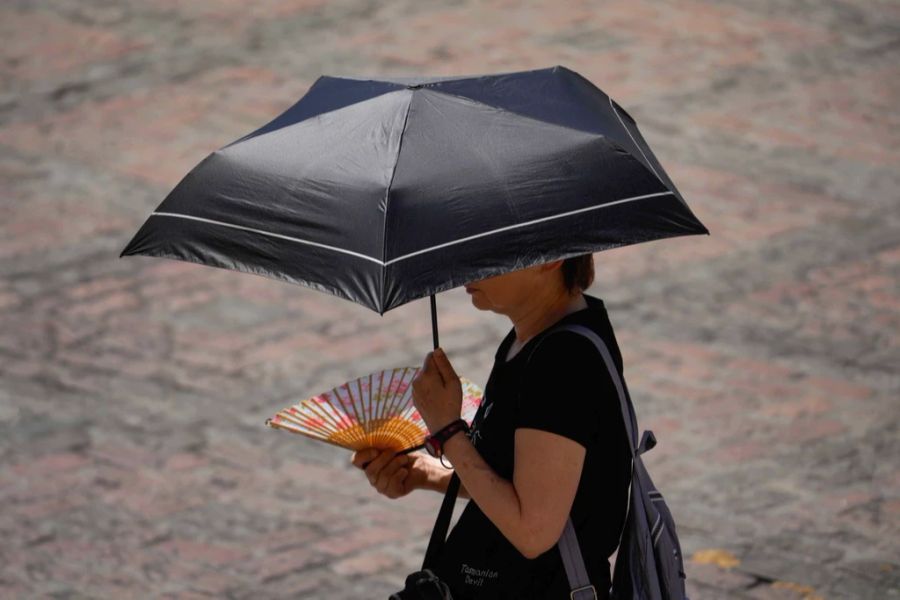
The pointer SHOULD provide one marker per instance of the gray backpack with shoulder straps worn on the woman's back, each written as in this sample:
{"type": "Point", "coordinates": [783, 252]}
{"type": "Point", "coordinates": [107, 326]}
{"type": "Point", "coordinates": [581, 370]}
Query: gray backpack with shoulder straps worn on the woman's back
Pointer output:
{"type": "Point", "coordinates": [649, 563]}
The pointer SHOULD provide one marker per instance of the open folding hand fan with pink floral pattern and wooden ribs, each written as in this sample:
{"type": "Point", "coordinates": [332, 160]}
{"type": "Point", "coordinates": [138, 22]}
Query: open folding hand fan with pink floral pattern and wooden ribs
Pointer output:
{"type": "Point", "coordinates": [373, 411]}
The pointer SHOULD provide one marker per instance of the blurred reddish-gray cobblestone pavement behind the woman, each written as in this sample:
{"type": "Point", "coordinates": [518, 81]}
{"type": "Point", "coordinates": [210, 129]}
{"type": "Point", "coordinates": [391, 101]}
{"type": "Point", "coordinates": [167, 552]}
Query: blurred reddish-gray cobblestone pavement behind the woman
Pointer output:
{"type": "Point", "coordinates": [134, 462]}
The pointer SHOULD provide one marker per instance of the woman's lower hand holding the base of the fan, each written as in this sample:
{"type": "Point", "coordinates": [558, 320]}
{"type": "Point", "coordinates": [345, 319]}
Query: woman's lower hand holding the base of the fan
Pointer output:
{"type": "Point", "coordinates": [392, 475]}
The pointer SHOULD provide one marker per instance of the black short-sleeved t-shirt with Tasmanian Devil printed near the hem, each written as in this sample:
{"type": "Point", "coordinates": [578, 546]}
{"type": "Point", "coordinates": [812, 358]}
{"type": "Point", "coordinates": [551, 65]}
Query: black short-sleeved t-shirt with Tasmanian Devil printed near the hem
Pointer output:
{"type": "Point", "coordinates": [562, 386]}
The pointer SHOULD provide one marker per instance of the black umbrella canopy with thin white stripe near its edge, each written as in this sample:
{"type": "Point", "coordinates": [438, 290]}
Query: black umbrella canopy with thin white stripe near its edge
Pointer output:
{"type": "Point", "coordinates": [386, 190]}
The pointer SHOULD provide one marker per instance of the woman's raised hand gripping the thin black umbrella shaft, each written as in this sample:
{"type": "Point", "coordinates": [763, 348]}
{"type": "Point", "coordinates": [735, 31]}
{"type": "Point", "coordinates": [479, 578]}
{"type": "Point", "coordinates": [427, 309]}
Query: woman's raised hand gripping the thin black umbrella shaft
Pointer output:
{"type": "Point", "coordinates": [437, 391]}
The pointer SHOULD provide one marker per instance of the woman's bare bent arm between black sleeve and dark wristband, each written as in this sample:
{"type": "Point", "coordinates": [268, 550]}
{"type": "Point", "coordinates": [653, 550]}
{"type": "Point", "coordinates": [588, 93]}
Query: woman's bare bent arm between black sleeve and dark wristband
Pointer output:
{"type": "Point", "coordinates": [531, 510]}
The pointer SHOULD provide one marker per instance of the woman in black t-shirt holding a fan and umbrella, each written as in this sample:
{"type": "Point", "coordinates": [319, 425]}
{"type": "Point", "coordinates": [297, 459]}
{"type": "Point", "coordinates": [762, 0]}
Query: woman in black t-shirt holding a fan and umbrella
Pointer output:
{"type": "Point", "coordinates": [548, 442]}
